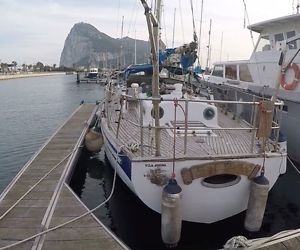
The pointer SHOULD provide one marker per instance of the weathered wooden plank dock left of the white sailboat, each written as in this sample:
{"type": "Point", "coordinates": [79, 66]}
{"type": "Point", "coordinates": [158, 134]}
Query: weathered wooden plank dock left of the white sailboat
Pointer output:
{"type": "Point", "coordinates": [39, 197]}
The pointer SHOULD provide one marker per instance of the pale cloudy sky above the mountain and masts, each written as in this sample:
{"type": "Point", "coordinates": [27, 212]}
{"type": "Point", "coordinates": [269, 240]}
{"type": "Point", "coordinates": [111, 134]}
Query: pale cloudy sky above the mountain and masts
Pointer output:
{"type": "Point", "coordinates": [35, 30]}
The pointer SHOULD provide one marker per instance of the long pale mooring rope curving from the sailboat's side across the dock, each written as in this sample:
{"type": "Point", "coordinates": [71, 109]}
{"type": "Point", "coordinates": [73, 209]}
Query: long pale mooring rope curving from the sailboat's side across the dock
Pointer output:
{"type": "Point", "coordinates": [70, 221]}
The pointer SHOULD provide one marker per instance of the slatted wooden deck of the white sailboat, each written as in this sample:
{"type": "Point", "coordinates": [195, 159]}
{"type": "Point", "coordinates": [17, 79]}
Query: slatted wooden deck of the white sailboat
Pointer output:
{"type": "Point", "coordinates": [206, 144]}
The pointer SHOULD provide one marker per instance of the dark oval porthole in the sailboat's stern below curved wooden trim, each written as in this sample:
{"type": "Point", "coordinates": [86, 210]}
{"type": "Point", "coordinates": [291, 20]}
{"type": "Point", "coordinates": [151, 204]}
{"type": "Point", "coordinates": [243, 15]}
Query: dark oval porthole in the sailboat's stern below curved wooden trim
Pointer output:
{"type": "Point", "coordinates": [221, 180]}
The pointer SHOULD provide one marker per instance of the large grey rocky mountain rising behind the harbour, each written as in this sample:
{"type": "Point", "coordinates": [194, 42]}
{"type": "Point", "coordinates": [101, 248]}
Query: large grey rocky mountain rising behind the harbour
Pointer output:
{"type": "Point", "coordinates": [87, 46]}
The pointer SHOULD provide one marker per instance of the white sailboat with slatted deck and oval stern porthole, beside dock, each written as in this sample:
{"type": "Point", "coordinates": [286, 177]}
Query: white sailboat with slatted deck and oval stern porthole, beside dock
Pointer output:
{"type": "Point", "coordinates": [155, 139]}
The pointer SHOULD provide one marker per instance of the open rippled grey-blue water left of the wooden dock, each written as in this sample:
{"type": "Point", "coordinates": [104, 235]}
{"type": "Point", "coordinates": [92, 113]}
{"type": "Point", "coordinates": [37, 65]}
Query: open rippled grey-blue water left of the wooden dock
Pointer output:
{"type": "Point", "coordinates": [31, 110]}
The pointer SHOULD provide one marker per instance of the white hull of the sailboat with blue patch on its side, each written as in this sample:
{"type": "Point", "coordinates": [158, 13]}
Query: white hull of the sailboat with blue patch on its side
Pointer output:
{"type": "Point", "coordinates": [201, 203]}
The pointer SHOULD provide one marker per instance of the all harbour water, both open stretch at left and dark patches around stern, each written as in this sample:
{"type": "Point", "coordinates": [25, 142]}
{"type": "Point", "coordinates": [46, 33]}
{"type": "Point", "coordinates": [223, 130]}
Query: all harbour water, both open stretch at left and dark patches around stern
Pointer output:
{"type": "Point", "coordinates": [31, 111]}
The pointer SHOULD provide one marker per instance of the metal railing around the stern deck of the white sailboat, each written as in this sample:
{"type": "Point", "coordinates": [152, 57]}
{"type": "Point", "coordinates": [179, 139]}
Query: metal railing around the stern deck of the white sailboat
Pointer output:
{"type": "Point", "coordinates": [251, 126]}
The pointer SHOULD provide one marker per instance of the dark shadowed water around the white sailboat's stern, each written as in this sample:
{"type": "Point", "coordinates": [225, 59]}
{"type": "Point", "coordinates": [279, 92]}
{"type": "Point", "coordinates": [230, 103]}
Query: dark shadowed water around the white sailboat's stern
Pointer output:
{"type": "Point", "coordinates": [139, 226]}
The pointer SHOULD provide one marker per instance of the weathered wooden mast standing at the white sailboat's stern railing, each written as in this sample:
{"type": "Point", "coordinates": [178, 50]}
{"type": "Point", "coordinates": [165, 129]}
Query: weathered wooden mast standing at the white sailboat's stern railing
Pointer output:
{"type": "Point", "coordinates": [153, 23]}
